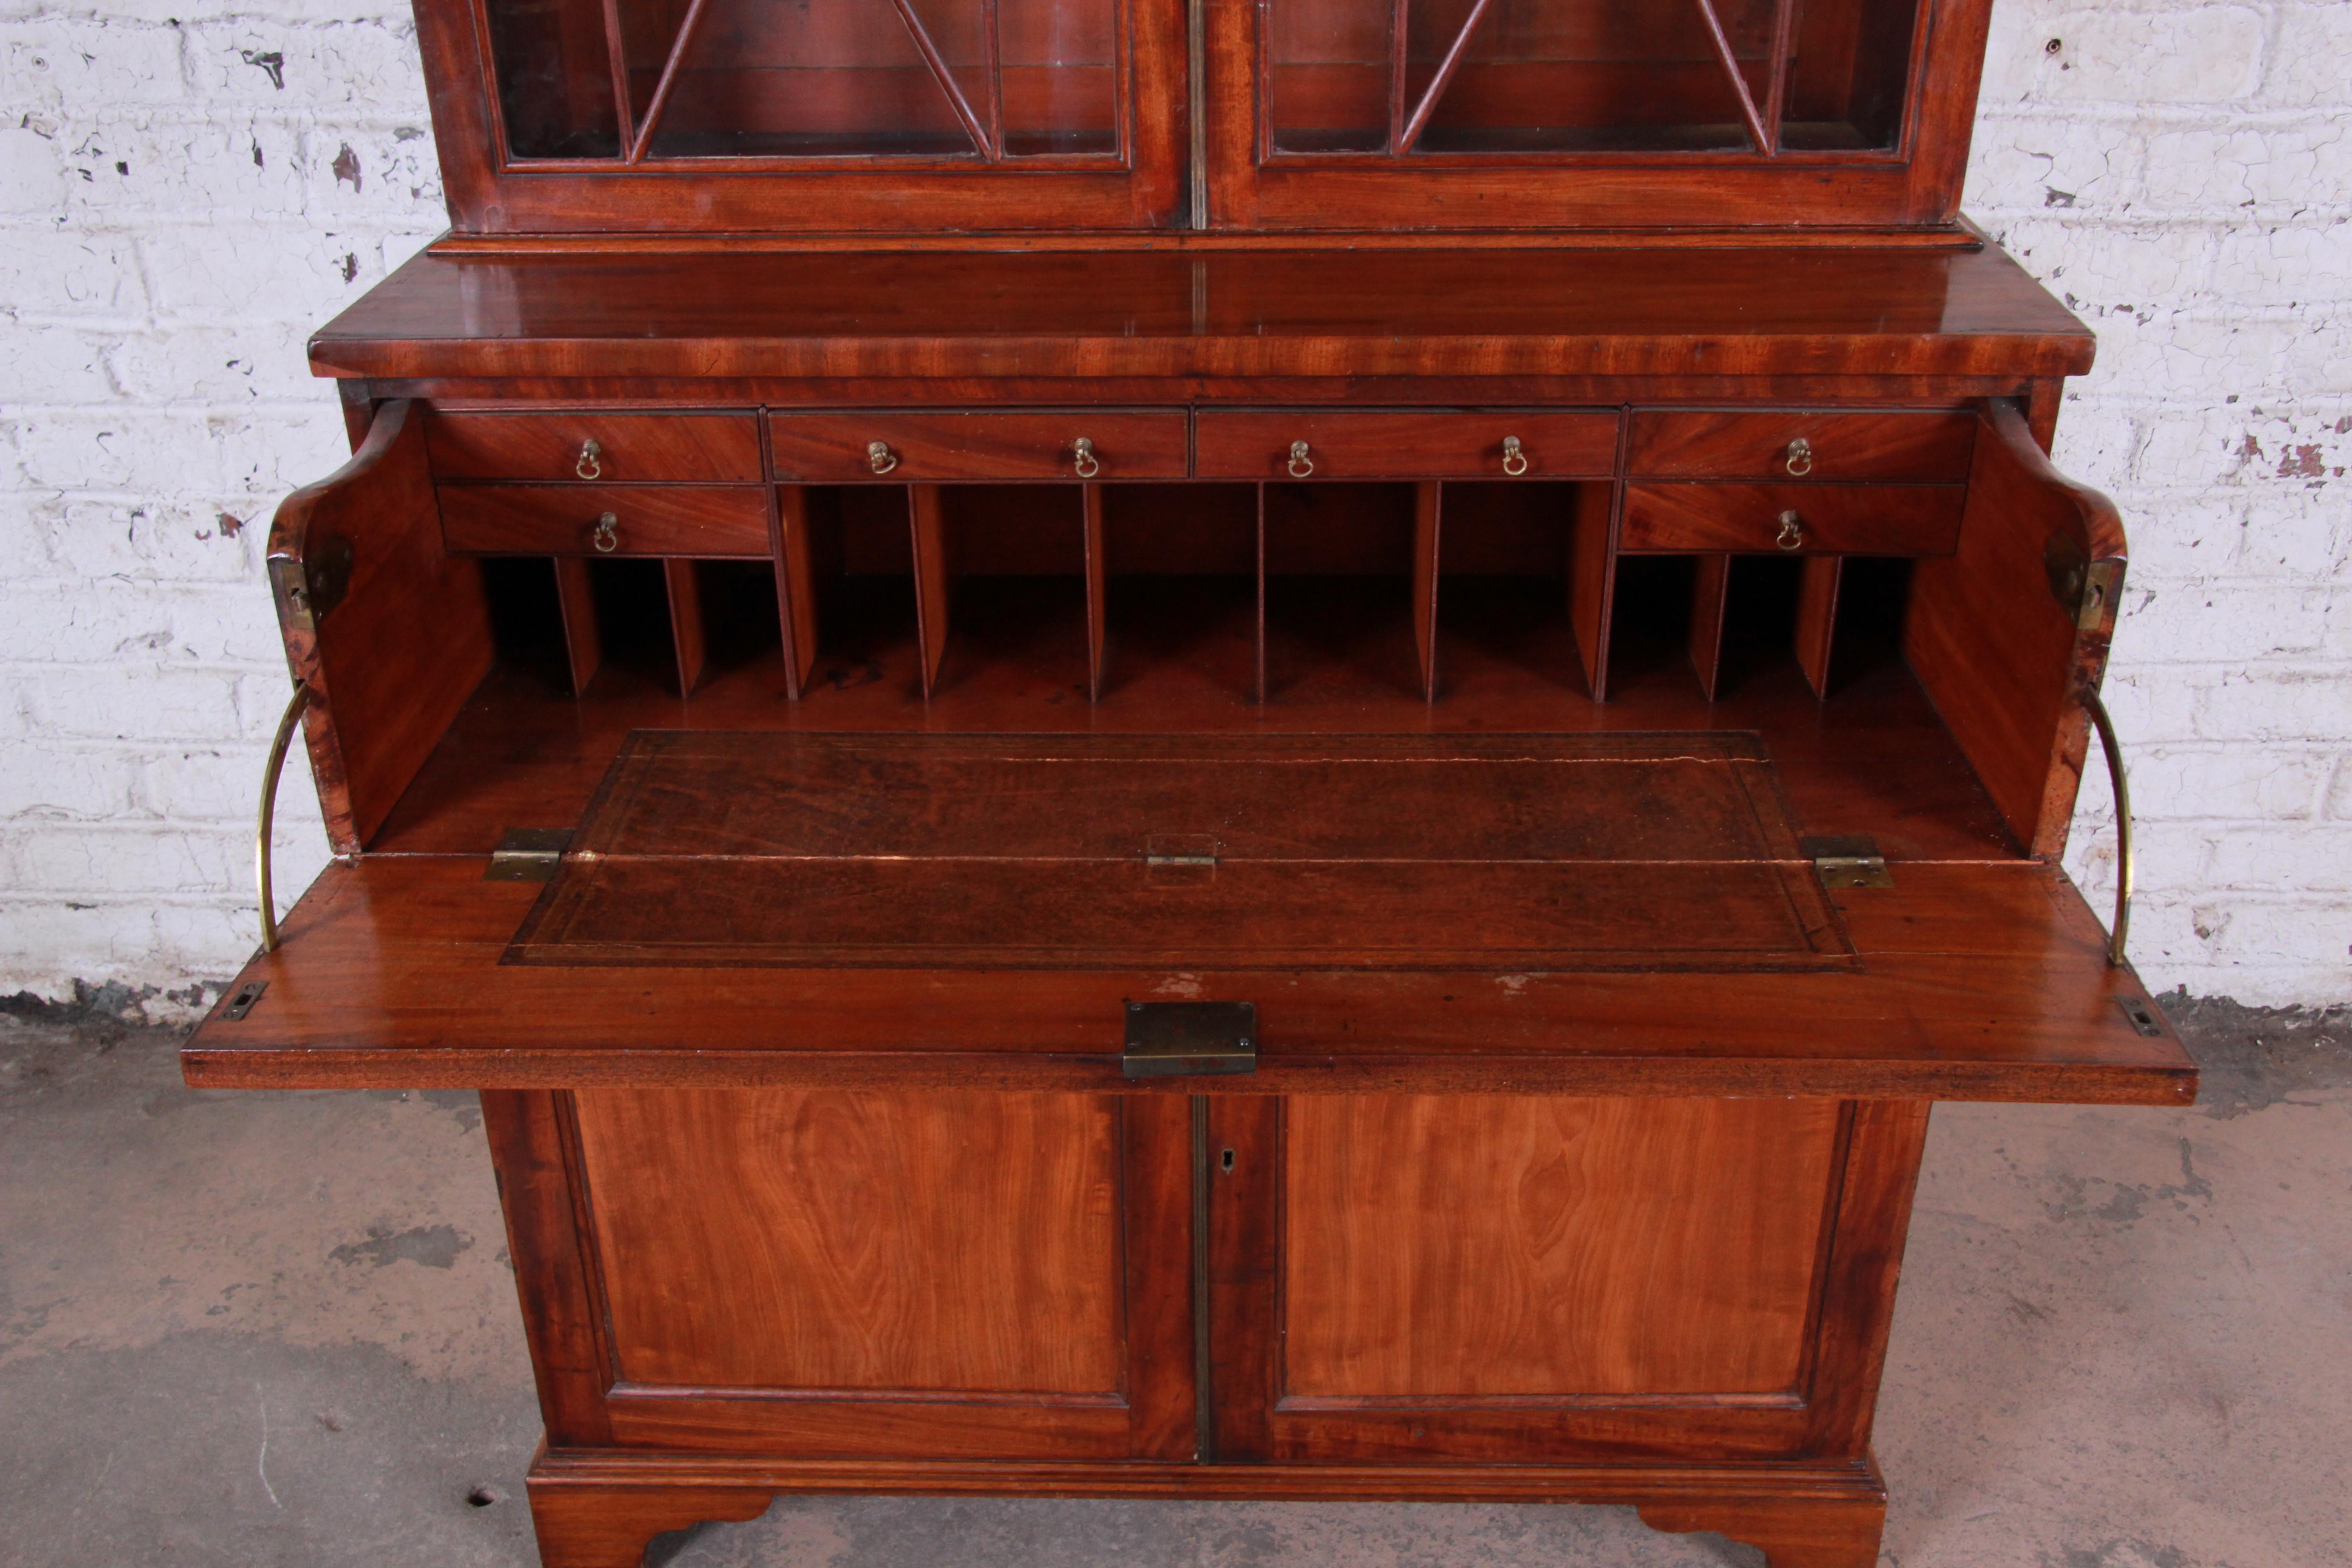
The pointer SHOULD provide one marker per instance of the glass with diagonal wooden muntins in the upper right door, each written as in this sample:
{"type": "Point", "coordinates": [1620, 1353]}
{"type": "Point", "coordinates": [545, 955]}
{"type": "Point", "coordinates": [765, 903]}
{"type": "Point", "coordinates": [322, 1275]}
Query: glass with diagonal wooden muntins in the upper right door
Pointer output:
{"type": "Point", "coordinates": [1412, 79]}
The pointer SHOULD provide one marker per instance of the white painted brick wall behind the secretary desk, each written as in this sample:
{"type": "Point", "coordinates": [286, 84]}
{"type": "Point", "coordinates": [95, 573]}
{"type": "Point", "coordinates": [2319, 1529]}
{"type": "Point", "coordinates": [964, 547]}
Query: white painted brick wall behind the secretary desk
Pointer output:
{"type": "Point", "coordinates": [173, 225]}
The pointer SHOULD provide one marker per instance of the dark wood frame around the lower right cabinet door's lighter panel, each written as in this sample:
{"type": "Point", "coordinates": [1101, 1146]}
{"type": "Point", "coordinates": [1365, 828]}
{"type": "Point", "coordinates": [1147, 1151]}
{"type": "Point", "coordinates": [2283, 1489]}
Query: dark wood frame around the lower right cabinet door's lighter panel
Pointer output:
{"type": "Point", "coordinates": [1826, 1419]}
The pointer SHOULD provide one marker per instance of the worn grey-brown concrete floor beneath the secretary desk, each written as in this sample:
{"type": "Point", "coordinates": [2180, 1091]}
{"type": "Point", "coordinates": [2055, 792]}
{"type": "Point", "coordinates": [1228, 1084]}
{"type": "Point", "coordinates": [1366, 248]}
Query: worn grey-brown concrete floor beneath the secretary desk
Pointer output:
{"type": "Point", "coordinates": [279, 1329]}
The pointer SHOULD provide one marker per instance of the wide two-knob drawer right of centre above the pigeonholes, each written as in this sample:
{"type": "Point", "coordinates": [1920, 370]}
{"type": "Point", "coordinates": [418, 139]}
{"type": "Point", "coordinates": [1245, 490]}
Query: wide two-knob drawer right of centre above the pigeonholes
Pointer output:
{"type": "Point", "coordinates": [1405, 445]}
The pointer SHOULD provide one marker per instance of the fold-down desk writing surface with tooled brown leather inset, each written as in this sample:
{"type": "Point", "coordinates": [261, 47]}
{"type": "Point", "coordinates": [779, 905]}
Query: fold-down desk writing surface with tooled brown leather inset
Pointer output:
{"type": "Point", "coordinates": [1617, 913]}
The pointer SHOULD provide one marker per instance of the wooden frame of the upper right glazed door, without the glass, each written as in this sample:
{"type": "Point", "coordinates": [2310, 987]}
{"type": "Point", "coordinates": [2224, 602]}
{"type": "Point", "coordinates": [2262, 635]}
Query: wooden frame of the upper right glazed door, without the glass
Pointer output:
{"type": "Point", "coordinates": [1918, 185]}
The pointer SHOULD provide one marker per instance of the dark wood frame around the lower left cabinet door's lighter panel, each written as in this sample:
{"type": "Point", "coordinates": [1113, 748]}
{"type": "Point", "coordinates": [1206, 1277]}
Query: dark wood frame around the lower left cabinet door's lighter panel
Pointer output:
{"type": "Point", "coordinates": [587, 1405]}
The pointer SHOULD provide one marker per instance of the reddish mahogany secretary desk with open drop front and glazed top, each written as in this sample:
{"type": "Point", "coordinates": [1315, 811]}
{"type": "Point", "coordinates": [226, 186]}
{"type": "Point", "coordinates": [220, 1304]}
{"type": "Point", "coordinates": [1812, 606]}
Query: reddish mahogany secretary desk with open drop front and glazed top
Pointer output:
{"type": "Point", "coordinates": [1234, 751]}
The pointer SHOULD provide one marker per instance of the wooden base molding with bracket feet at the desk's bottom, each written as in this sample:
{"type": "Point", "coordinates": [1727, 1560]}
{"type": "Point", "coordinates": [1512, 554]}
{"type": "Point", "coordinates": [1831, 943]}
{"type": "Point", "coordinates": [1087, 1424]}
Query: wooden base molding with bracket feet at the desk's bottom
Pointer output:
{"type": "Point", "coordinates": [603, 1508]}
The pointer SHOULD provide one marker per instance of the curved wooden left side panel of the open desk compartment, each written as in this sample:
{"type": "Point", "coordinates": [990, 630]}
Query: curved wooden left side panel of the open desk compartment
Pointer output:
{"type": "Point", "coordinates": [375, 718]}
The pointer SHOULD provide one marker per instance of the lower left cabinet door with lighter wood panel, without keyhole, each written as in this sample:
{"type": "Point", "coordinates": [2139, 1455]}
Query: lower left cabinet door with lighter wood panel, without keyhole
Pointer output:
{"type": "Point", "coordinates": [876, 1275]}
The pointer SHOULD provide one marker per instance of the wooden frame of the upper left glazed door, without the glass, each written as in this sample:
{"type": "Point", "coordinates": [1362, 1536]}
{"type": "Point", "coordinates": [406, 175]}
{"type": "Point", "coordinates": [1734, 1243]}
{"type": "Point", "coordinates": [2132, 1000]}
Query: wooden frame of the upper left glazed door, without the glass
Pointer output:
{"type": "Point", "coordinates": [490, 194]}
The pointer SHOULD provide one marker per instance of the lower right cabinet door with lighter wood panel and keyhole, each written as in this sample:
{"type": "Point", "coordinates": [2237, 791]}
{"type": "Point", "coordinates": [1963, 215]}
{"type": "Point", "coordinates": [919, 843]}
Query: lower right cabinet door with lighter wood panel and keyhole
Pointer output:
{"type": "Point", "coordinates": [1518, 1280]}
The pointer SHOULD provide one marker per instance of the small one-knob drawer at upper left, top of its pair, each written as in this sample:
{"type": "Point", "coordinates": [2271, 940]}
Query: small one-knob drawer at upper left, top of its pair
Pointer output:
{"type": "Point", "coordinates": [596, 448]}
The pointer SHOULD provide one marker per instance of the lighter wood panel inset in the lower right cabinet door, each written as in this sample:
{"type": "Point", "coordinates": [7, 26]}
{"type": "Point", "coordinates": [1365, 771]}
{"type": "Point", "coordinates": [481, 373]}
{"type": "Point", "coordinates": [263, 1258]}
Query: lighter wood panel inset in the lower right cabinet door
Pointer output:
{"type": "Point", "coordinates": [1466, 1249]}
